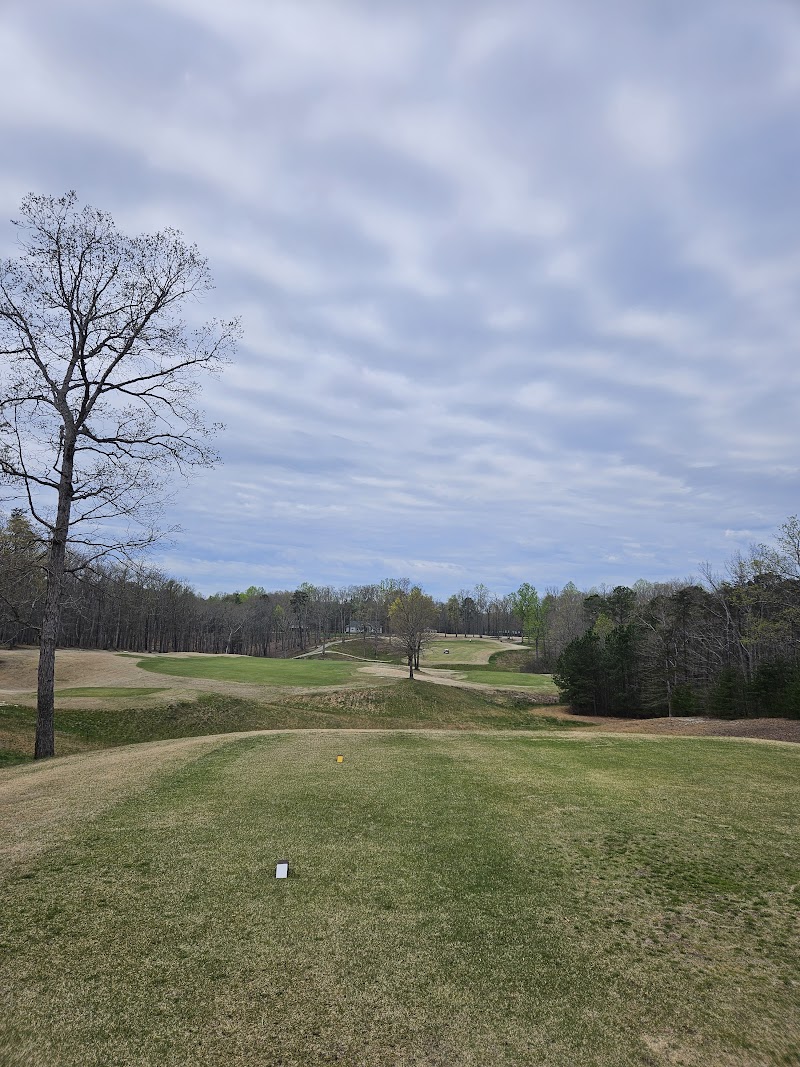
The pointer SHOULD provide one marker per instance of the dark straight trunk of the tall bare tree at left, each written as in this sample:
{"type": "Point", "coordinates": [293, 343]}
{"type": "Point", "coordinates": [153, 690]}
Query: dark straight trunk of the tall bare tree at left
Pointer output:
{"type": "Point", "coordinates": [45, 744]}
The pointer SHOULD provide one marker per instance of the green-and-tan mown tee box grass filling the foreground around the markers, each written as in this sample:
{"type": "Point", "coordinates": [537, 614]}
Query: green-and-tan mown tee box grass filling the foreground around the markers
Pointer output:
{"type": "Point", "coordinates": [454, 900]}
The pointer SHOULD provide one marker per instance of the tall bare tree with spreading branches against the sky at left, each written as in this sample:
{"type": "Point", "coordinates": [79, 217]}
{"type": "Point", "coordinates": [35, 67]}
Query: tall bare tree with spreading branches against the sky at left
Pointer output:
{"type": "Point", "coordinates": [99, 385]}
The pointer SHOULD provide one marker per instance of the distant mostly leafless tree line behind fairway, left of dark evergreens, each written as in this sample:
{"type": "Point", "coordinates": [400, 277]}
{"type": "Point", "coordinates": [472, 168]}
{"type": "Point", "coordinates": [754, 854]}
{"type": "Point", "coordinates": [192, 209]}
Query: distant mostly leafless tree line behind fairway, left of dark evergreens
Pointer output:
{"type": "Point", "coordinates": [113, 606]}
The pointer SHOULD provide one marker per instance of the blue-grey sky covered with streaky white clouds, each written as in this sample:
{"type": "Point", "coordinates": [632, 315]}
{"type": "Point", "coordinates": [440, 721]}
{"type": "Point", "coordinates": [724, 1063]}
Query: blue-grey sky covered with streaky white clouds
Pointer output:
{"type": "Point", "coordinates": [520, 282]}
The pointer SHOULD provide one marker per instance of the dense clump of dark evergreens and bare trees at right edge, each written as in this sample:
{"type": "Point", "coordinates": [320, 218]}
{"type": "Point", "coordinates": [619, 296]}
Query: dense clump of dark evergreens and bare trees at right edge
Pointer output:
{"type": "Point", "coordinates": [727, 646]}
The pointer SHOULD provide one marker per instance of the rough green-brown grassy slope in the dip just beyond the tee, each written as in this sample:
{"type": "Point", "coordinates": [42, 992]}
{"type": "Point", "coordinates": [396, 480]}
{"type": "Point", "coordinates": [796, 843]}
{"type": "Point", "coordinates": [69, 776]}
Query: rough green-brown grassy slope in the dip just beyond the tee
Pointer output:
{"type": "Point", "coordinates": [398, 706]}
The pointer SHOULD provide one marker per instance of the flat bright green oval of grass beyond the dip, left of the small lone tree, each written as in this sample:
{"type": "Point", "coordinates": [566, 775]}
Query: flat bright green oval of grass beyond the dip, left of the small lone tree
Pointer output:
{"type": "Point", "coordinates": [254, 671]}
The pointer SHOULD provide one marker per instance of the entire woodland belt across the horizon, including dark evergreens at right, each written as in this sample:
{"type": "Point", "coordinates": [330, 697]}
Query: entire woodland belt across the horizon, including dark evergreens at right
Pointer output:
{"type": "Point", "coordinates": [723, 646]}
